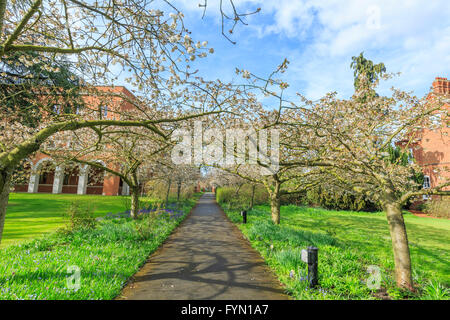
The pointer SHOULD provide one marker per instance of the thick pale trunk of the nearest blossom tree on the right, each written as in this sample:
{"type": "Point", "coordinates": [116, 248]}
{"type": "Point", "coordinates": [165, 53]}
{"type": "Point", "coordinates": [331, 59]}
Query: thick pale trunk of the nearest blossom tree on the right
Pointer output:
{"type": "Point", "coordinates": [400, 245]}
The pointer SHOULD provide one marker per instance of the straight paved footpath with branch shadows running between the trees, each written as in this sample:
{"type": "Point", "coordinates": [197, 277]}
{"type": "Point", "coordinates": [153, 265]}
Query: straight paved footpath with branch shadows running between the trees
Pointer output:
{"type": "Point", "coordinates": [205, 258]}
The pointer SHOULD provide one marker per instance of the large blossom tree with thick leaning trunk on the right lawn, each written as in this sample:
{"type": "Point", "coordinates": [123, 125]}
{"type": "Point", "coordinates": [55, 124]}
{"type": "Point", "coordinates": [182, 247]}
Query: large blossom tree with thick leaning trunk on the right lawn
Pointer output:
{"type": "Point", "coordinates": [354, 137]}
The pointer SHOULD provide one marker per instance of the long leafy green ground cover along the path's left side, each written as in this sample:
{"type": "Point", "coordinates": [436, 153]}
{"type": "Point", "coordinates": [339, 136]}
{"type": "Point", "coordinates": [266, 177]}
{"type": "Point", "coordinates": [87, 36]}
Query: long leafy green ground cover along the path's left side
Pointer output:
{"type": "Point", "coordinates": [106, 257]}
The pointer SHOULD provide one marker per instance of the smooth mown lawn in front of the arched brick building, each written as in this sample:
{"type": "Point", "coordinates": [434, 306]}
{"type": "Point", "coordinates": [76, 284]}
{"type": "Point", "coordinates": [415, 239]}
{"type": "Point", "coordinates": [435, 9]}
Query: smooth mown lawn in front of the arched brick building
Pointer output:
{"type": "Point", "coordinates": [32, 214]}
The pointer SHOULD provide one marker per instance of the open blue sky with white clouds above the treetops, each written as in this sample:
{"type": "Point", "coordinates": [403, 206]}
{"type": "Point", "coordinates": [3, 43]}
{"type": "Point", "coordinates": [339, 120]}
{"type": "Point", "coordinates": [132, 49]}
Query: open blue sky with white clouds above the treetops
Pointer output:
{"type": "Point", "coordinates": [320, 37]}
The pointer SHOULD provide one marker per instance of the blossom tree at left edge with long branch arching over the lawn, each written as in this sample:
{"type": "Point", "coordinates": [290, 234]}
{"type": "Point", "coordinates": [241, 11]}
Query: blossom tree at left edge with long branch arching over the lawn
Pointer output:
{"type": "Point", "coordinates": [143, 41]}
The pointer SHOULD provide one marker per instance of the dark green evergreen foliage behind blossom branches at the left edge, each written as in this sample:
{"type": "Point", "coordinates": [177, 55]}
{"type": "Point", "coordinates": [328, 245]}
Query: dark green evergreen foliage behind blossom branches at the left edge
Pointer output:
{"type": "Point", "coordinates": [22, 86]}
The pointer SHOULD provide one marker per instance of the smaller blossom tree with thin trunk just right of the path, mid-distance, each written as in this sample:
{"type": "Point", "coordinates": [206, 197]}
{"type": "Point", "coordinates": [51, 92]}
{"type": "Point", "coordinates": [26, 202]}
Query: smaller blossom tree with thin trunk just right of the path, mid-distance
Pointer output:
{"type": "Point", "coordinates": [278, 171]}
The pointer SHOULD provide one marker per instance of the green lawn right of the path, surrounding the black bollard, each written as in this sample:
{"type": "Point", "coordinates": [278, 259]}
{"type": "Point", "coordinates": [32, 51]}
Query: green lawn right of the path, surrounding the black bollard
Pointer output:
{"type": "Point", "coordinates": [348, 243]}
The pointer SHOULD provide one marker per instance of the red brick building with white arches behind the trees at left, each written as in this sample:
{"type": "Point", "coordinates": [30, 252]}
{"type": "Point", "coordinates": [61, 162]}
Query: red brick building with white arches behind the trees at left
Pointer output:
{"type": "Point", "coordinates": [80, 179]}
